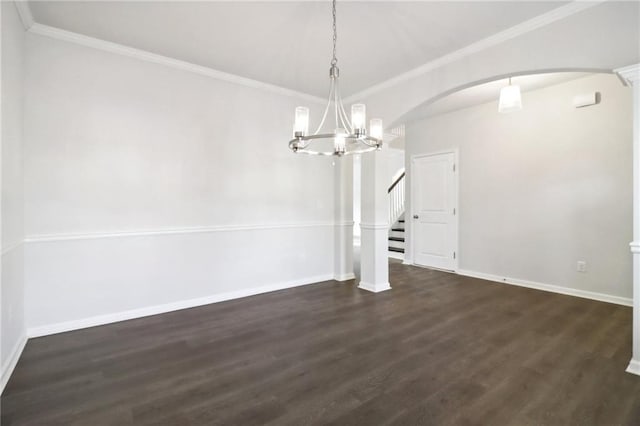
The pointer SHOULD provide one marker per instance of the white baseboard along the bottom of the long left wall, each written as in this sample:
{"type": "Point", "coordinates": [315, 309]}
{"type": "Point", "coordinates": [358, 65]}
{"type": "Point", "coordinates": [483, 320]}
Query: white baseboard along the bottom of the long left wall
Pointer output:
{"type": "Point", "coordinates": [62, 327]}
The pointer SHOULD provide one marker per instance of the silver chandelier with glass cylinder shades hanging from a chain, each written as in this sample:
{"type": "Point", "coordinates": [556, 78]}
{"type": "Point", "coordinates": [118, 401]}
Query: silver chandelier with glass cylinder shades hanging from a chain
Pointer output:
{"type": "Point", "coordinates": [346, 137]}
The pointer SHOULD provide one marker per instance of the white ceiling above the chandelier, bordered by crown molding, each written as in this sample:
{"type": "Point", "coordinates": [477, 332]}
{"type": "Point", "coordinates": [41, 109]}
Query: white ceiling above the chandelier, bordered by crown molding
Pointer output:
{"type": "Point", "coordinates": [289, 43]}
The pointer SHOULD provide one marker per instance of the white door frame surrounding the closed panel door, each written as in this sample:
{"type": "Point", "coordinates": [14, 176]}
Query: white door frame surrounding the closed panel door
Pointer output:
{"type": "Point", "coordinates": [456, 238]}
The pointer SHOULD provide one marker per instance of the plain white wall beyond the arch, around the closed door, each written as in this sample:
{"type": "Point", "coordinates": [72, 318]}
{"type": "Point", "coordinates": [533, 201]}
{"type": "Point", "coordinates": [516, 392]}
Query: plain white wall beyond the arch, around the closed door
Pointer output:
{"type": "Point", "coordinates": [545, 187]}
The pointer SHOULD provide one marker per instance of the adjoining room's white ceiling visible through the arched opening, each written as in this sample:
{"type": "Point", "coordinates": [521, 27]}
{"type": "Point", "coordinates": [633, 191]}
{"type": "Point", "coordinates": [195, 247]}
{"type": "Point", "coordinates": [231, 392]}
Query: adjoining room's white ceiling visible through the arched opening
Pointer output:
{"type": "Point", "coordinates": [489, 92]}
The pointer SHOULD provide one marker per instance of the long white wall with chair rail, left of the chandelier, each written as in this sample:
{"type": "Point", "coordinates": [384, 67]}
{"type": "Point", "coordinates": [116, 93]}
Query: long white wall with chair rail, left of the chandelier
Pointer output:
{"type": "Point", "coordinates": [147, 186]}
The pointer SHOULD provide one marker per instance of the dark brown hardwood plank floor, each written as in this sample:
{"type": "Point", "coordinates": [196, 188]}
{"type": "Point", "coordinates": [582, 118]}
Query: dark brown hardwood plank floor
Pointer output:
{"type": "Point", "coordinates": [436, 349]}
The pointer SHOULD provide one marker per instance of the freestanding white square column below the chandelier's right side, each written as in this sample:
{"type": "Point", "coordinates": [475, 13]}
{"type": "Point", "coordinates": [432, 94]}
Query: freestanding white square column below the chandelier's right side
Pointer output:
{"type": "Point", "coordinates": [374, 260]}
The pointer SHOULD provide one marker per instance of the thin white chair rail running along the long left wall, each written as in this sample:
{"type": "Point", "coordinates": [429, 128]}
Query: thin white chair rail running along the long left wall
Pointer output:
{"type": "Point", "coordinates": [43, 238]}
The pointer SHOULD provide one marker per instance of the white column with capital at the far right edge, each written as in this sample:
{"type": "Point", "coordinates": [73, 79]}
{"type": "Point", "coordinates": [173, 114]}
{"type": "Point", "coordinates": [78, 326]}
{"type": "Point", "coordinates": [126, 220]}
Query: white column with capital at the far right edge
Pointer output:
{"type": "Point", "coordinates": [632, 75]}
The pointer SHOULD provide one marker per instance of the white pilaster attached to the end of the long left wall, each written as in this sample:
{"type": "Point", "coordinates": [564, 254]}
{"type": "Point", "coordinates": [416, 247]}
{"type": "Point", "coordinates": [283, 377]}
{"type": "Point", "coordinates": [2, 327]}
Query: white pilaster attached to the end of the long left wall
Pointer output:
{"type": "Point", "coordinates": [343, 228]}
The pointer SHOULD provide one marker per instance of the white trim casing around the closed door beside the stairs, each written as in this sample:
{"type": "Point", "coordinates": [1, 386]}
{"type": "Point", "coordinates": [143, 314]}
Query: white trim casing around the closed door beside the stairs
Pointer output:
{"type": "Point", "coordinates": [456, 173]}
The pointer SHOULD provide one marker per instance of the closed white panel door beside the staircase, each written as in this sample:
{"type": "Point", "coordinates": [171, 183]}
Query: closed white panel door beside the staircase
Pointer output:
{"type": "Point", "coordinates": [434, 221]}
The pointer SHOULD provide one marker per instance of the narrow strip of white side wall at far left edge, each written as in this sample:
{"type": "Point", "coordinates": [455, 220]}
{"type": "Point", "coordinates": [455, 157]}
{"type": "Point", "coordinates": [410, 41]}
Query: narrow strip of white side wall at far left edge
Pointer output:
{"type": "Point", "coordinates": [12, 295]}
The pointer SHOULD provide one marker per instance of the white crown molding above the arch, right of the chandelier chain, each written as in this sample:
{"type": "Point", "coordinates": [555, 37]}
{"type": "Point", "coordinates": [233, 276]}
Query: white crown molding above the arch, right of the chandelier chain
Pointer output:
{"type": "Point", "coordinates": [525, 27]}
